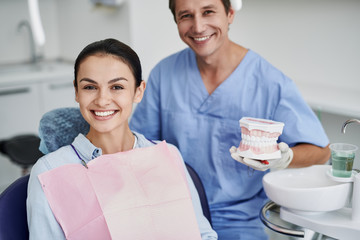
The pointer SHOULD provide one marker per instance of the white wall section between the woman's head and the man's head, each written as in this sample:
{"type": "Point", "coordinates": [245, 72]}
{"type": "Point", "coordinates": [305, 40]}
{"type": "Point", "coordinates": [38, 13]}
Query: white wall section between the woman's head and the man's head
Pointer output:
{"type": "Point", "coordinates": [153, 32]}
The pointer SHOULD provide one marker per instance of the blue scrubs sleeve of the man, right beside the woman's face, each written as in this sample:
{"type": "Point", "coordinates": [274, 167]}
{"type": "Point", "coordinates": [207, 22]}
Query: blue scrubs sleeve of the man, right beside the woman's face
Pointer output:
{"type": "Point", "coordinates": [146, 117]}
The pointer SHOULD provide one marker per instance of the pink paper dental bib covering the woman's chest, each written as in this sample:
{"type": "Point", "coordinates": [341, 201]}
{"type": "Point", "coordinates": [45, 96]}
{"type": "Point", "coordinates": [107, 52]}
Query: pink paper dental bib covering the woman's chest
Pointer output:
{"type": "Point", "coordinates": [138, 194]}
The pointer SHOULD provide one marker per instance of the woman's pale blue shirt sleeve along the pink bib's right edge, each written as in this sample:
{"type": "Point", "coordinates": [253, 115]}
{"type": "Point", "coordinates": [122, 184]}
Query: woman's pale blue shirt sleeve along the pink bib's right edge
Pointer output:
{"type": "Point", "coordinates": [207, 233]}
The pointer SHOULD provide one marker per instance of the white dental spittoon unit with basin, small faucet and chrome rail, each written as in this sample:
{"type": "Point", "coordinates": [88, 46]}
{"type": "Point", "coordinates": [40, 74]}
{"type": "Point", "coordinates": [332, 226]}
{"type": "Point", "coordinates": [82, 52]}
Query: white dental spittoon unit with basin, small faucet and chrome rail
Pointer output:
{"type": "Point", "coordinates": [341, 223]}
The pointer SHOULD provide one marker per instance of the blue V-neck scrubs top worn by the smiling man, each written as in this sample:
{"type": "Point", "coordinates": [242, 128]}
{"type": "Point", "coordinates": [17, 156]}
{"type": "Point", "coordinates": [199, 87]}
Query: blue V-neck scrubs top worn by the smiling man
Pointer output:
{"type": "Point", "coordinates": [177, 108]}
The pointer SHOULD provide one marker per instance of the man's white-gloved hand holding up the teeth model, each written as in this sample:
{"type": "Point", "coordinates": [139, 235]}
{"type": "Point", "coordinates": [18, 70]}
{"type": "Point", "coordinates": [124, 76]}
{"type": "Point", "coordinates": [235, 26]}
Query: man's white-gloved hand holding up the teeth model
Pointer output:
{"type": "Point", "coordinates": [263, 165]}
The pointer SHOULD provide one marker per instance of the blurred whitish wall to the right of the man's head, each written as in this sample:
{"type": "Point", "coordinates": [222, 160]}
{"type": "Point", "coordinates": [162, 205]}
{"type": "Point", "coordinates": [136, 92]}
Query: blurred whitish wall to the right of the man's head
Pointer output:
{"type": "Point", "coordinates": [311, 41]}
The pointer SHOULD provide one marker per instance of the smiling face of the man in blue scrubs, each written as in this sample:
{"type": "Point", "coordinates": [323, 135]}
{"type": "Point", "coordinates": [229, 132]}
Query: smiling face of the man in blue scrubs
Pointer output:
{"type": "Point", "coordinates": [203, 25]}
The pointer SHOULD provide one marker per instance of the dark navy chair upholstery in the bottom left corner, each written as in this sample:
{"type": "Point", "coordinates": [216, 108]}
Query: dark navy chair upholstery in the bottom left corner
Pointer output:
{"type": "Point", "coordinates": [13, 218]}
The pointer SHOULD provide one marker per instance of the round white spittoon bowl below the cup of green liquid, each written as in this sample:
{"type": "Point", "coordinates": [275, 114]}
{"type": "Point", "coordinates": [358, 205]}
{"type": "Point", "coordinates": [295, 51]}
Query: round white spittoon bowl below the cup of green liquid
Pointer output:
{"type": "Point", "coordinates": [306, 189]}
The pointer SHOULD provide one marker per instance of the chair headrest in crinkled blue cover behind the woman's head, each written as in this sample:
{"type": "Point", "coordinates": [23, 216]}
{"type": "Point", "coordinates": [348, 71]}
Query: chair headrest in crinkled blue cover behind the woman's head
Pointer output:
{"type": "Point", "coordinates": [59, 127]}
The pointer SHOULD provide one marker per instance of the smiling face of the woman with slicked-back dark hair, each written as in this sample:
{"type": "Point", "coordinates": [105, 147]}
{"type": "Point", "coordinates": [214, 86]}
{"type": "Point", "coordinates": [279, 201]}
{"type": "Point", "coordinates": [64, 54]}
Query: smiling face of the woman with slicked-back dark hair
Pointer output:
{"type": "Point", "coordinates": [106, 92]}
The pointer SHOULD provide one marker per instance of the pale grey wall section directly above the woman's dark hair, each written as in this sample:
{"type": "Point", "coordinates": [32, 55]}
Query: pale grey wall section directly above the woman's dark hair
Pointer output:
{"type": "Point", "coordinates": [80, 23]}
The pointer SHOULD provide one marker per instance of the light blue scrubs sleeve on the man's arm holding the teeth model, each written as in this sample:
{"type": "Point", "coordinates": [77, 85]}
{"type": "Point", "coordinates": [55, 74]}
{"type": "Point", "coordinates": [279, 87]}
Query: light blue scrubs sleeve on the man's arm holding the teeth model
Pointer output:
{"type": "Point", "coordinates": [301, 123]}
